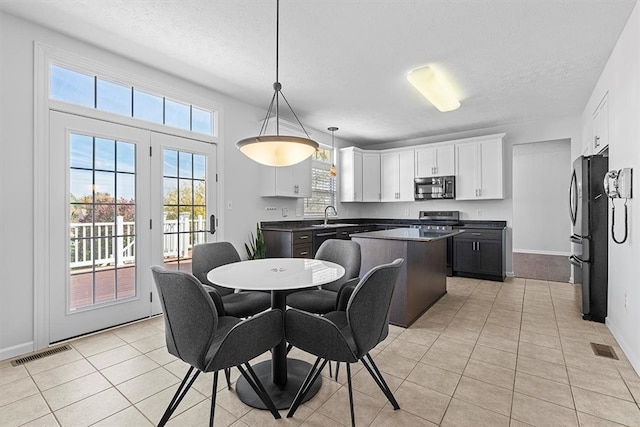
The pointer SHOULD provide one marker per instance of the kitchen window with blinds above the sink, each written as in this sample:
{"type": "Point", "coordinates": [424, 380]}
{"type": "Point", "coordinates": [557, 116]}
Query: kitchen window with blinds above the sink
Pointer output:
{"type": "Point", "coordinates": [323, 186]}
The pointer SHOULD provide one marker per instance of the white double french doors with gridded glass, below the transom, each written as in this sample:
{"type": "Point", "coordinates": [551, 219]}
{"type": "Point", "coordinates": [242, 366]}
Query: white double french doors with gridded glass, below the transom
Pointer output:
{"type": "Point", "coordinates": [122, 199]}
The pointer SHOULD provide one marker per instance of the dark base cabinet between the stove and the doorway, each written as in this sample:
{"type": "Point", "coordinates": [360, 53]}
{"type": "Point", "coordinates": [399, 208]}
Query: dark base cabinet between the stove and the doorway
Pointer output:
{"type": "Point", "coordinates": [479, 253]}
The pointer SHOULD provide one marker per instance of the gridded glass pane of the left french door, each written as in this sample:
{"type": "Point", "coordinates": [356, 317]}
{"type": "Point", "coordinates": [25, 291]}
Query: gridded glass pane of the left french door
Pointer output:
{"type": "Point", "coordinates": [102, 206]}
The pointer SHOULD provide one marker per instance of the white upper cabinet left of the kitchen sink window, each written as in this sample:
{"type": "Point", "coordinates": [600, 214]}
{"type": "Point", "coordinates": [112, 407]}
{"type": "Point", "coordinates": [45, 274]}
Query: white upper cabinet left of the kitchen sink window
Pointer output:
{"type": "Point", "coordinates": [288, 181]}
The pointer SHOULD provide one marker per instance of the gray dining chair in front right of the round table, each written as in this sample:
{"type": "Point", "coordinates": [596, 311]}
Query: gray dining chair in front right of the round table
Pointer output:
{"type": "Point", "coordinates": [347, 335]}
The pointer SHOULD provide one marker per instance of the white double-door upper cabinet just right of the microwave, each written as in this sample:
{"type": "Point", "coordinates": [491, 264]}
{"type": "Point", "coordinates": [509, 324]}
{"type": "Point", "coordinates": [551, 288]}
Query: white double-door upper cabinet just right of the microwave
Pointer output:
{"type": "Point", "coordinates": [479, 169]}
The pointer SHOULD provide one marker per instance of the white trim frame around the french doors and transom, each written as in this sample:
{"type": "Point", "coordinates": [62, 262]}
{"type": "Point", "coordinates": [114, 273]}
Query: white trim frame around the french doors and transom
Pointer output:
{"type": "Point", "coordinates": [44, 55]}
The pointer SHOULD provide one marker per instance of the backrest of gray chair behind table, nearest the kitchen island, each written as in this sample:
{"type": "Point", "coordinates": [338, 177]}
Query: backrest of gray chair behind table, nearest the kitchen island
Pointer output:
{"type": "Point", "coordinates": [344, 252]}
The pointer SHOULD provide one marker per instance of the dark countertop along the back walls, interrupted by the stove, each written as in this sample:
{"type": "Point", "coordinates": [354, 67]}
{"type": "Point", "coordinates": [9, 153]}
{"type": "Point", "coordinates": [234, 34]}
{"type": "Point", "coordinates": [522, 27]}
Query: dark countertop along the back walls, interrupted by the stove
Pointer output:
{"type": "Point", "coordinates": [310, 225]}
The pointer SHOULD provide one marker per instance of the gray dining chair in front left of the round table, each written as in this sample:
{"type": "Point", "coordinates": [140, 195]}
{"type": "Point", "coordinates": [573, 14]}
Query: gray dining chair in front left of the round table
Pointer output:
{"type": "Point", "coordinates": [208, 342]}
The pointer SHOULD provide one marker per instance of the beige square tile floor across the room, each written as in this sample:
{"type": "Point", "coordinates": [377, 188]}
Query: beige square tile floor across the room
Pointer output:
{"type": "Point", "coordinates": [487, 354]}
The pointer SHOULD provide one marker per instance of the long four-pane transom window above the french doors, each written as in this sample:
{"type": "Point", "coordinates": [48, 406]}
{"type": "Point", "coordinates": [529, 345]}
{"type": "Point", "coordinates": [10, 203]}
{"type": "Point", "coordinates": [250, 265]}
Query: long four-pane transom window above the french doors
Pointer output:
{"type": "Point", "coordinates": [96, 92]}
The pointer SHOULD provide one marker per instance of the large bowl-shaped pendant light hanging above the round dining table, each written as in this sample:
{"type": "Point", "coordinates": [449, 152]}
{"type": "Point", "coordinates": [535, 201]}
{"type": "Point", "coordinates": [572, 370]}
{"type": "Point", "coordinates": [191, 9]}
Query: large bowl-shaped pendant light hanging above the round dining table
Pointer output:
{"type": "Point", "coordinates": [277, 150]}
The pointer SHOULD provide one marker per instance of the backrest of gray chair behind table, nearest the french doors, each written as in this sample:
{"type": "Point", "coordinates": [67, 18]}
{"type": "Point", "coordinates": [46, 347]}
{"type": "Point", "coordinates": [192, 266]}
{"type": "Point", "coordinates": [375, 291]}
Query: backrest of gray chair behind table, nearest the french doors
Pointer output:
{"type": "Point", "coordinates": [207, 256]}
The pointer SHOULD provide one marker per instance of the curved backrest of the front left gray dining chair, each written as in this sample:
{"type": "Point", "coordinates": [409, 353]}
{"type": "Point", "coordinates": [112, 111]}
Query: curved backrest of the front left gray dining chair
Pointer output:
{"type": "Point", "coordinates": [190, 316]}
